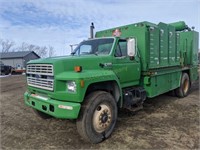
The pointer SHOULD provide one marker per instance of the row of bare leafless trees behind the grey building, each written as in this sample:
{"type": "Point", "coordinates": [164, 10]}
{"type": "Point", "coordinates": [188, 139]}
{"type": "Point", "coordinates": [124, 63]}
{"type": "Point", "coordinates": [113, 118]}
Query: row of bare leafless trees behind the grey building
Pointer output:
{"type": "Point", "coordinates": [10, 46]}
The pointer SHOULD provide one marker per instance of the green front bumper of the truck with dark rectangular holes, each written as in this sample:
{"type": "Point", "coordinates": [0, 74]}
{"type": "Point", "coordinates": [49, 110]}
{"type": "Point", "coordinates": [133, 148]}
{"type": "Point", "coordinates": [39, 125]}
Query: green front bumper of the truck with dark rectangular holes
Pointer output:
{"type": "Point", "coordinates": [55, 108]}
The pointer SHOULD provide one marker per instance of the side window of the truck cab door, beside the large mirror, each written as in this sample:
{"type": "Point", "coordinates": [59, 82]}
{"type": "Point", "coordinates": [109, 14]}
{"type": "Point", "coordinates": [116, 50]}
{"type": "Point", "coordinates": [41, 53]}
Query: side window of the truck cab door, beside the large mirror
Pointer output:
{"type": "Point", "coordinates": [121, 48]}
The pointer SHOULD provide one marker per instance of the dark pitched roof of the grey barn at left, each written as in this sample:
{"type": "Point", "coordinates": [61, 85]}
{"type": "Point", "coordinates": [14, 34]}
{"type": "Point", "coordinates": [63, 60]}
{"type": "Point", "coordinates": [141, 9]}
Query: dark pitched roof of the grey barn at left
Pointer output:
{"type": "Point", "coordinates": [16, 54]}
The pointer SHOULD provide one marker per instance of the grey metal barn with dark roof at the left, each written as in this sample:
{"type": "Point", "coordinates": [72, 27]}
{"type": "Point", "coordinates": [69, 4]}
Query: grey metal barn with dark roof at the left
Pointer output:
{"type": "Point", "coordinates": [18, 59]}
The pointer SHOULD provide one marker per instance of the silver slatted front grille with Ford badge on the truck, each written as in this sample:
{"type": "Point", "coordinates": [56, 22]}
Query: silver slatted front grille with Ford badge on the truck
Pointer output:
{"type": "Point", "coordinates": [40, 76]}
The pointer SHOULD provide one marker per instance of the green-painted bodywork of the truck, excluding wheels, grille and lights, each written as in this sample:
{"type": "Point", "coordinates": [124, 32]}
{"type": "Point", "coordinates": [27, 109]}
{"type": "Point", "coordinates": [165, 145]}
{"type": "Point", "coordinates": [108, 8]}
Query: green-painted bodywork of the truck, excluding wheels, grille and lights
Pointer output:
{"type": "Point", "coordinates": [163, 52]}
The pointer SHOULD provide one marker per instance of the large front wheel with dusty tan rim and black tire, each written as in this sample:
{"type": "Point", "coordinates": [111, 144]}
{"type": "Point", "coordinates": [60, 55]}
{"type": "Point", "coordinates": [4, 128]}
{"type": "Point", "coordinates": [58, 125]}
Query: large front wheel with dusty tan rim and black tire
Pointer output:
{"type": "Point", "coordinates": [98, 117]}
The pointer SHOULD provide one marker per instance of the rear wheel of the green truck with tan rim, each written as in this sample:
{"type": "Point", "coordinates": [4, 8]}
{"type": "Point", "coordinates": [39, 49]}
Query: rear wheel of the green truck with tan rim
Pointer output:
{"type": "Point", "coordinates": [184, 88]}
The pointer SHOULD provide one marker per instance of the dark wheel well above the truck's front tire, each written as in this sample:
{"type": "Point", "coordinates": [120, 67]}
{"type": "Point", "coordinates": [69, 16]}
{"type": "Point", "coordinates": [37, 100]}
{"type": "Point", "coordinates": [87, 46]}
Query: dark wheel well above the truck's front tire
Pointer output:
{"type": "Point", "coordinates": [108, 86]}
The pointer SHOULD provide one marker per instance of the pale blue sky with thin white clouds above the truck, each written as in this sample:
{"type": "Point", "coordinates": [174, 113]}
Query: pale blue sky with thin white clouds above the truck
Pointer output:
{"type": "Point", "coordinates": [60, 23]}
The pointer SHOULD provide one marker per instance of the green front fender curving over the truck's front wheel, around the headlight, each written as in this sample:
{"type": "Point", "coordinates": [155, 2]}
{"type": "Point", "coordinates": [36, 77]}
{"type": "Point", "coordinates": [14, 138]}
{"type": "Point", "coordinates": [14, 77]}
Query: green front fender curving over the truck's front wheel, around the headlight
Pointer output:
{"type": "Point", "coordinates": [88, 77]}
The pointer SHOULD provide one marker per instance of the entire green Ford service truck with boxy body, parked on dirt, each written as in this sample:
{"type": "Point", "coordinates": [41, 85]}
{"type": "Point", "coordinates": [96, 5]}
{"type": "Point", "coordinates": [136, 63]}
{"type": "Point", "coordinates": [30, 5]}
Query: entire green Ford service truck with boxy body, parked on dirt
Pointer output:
{"type": "Point", "coordinates": [119, 68]}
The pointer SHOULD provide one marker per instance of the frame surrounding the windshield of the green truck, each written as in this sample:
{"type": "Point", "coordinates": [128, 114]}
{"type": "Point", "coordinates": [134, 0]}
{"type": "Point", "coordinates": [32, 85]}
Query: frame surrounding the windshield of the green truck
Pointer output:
{"type": "Point", "coordinates": [111, 50]}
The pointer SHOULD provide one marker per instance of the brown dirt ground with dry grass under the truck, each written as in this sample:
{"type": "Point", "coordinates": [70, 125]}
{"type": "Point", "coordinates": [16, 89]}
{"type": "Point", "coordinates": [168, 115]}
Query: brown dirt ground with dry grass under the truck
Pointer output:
{"type": "Point", "coordinates": [165, 122]}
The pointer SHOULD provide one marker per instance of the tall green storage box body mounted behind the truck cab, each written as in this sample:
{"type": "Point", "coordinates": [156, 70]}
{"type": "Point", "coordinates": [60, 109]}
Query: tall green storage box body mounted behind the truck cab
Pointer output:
{"type": "Point", "coordinates": [160, 46]}
